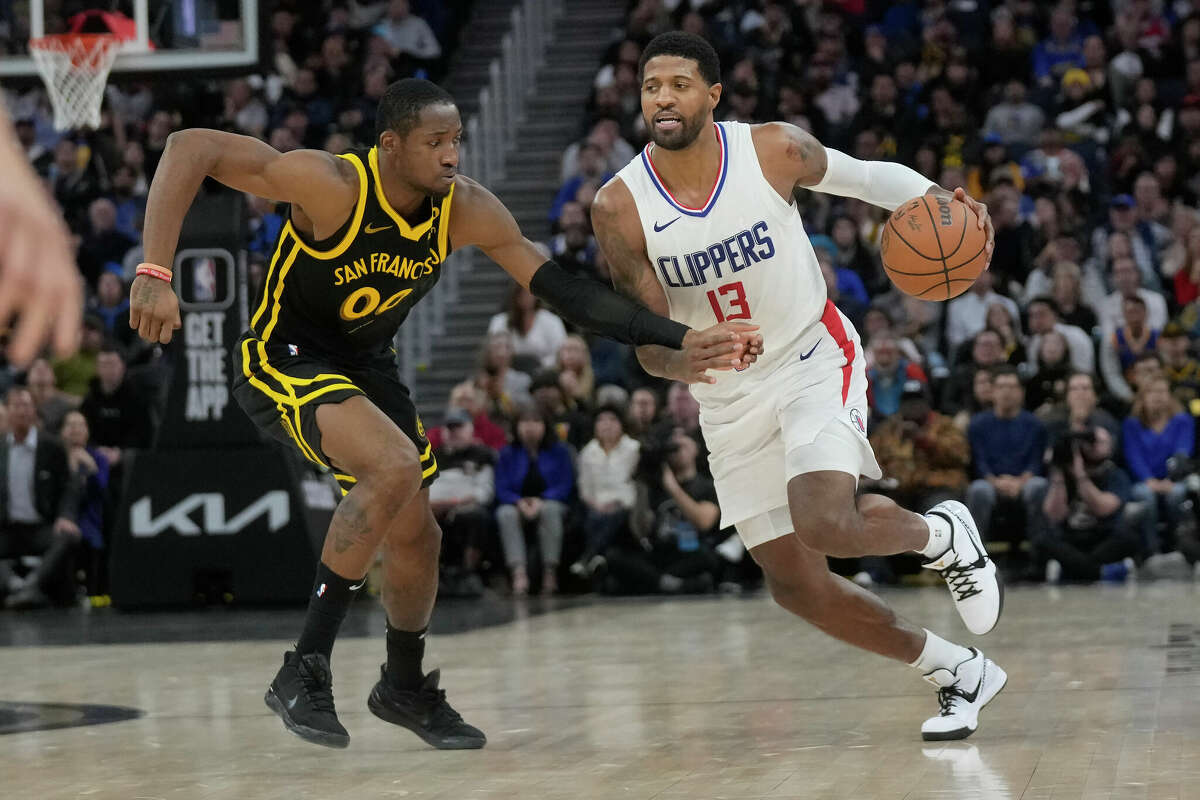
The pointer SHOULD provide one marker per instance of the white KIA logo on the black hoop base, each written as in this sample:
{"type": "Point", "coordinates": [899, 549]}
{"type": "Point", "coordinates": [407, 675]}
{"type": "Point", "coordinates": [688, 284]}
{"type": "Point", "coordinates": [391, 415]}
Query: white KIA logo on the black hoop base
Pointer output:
{"type": "Point", "coordinates": [178, 518]}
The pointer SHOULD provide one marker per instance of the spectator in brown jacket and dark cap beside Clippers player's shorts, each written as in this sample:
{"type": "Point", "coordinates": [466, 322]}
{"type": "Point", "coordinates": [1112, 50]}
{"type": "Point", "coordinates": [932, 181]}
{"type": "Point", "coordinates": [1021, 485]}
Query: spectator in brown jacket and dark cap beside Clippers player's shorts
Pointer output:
{"type": "Point", "coordinates": [923, 452]}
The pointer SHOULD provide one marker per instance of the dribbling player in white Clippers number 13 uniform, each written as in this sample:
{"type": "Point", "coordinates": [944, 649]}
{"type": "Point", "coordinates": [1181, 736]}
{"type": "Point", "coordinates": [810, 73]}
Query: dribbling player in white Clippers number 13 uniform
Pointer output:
{"type": "Point", "coordinates": [701, 227]}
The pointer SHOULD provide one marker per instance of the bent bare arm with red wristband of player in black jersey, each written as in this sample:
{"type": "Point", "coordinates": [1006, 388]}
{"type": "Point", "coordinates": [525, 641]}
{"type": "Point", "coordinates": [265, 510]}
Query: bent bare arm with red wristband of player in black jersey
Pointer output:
{"type": "Point", "coordinates": [322, 187]}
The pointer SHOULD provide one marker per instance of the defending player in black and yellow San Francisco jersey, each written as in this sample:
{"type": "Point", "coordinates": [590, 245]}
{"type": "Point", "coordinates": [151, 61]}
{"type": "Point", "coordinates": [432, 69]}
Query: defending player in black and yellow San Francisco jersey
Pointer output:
{"type": "Point", "coordinates": [367, 239]}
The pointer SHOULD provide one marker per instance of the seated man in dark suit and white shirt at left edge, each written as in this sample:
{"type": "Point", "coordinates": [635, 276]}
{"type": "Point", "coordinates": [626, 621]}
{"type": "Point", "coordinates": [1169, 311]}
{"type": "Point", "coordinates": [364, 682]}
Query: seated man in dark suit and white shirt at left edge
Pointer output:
{"type": "Point", "coordinates": [39, 503]}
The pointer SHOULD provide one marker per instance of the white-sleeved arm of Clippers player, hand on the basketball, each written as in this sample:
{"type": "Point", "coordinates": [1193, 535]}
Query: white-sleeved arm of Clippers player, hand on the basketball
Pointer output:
{"type": "Point", "coordinates": [796, 160]}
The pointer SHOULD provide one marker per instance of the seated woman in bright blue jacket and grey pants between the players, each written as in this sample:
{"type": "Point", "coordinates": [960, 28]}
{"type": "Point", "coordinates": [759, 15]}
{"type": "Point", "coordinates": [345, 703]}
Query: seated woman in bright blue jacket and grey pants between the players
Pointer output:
{"type": "Point", "coordinates": [535, 479]}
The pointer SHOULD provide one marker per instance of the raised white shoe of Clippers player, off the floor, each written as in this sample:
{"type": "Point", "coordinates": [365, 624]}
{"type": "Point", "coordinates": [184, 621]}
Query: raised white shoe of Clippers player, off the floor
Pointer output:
{"type": "Point", "coordinates": [968, 570]}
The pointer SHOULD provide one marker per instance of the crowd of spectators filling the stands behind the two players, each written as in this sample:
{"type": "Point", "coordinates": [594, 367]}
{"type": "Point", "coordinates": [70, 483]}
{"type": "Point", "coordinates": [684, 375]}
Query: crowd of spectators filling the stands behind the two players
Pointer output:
{"type": "Point", "coordinates": [1057, 398]}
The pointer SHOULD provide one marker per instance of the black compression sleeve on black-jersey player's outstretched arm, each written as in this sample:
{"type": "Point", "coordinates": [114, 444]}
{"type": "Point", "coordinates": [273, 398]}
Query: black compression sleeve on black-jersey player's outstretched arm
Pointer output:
{"type": "Point", "coordinates": [596, 308]}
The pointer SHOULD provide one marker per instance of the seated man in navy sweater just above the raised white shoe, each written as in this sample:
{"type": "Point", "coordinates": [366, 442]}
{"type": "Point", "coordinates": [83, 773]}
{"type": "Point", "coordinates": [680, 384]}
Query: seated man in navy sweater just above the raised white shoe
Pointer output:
{"type": "Point", "coordinates": [1007, 446]}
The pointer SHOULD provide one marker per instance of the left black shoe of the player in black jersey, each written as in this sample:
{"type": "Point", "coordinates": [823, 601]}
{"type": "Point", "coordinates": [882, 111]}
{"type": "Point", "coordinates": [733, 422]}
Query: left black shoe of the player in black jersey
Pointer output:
{"type": "Point", "coordinates": [303, 696]}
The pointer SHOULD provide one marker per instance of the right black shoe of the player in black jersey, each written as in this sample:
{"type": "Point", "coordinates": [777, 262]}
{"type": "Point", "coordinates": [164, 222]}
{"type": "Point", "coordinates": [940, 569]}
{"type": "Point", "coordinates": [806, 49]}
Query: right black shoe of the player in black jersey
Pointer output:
{"type": "Point", "coordinates": [425, 713]}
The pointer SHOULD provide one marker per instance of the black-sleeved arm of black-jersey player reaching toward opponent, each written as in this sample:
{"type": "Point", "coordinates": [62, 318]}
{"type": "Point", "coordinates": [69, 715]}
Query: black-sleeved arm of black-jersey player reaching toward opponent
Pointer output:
{"type": "Point", "coordinates": [481, 219]}
